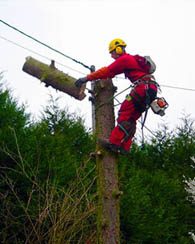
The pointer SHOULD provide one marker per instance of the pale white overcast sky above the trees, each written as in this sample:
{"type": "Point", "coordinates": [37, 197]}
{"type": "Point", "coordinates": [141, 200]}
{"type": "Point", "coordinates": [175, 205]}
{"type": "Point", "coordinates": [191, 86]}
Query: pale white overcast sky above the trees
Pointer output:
{"type": "Point", "coordinates": [163, 29]}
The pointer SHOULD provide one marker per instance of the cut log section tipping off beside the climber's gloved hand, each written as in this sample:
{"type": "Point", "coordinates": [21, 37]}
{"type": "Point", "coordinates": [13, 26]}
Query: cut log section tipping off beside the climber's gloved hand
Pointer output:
{"type": "Point", "coordinates": [53, 77]}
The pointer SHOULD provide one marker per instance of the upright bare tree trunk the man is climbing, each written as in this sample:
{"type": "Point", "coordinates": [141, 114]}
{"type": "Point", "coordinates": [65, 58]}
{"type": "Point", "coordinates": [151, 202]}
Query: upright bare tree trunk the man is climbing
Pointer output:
{"type": "Point", "coordinates": [108, 223]}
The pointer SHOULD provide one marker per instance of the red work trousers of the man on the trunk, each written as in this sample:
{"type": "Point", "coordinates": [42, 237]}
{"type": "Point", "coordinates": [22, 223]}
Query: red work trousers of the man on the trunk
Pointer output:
{"type": "Point", "coordinates": [130, 111]}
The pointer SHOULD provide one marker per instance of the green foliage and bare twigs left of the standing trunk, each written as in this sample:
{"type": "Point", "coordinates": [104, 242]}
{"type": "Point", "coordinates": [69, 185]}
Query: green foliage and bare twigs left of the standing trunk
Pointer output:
{"type": "Point", "coordinates": [46, 158]}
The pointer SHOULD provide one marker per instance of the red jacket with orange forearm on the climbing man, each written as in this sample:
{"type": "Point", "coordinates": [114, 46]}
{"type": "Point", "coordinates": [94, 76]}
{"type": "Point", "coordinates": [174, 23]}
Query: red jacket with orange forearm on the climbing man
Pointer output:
{"type": "Point", "coordinates": [126, 64]}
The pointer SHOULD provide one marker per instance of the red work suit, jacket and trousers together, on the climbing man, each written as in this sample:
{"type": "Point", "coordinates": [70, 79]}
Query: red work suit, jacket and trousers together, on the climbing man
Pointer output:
{"type": "Point", "coordinates": [133, 106]}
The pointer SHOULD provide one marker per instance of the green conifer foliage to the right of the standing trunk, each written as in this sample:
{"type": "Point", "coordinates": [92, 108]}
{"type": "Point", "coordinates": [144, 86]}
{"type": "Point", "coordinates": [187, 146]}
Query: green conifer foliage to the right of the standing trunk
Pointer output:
{"type": "Point", "coordinates": [155, 207]}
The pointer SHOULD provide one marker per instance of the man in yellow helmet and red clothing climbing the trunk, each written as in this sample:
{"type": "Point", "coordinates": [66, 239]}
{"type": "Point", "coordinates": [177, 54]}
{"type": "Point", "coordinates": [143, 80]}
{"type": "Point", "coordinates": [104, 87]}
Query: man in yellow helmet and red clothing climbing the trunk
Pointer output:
{"type": "Point", "coordinates": [144, 91]}
